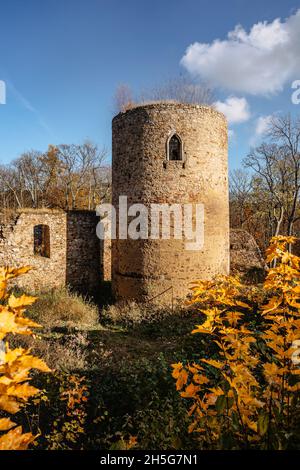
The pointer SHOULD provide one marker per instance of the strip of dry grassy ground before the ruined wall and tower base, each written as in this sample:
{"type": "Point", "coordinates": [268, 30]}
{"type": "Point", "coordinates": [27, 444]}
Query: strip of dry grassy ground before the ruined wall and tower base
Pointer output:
{"type": "Point", "coordinates": [72, 339]}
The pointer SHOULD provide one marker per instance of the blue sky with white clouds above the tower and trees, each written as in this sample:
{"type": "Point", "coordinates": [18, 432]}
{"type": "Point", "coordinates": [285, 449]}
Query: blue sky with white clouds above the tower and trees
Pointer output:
{"type": "Point", "coordinates": [62, 60]}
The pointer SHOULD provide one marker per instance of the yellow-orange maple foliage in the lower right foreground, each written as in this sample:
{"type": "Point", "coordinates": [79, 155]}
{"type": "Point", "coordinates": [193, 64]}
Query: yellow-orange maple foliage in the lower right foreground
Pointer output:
{"type": "Point", "coordinates": [251, 381]}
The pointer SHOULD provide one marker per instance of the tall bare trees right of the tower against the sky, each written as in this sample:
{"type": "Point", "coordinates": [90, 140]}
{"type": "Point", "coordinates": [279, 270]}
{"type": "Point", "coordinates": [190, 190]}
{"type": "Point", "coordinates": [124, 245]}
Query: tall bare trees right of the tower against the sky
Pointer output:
{"type": "Point", "coordinates": [264, 195]}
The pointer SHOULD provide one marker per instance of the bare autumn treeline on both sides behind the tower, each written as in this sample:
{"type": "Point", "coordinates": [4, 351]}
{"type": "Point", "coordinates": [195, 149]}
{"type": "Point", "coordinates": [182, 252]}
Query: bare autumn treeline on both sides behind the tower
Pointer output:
{"type": "Point", "coordinates": [264, 193]}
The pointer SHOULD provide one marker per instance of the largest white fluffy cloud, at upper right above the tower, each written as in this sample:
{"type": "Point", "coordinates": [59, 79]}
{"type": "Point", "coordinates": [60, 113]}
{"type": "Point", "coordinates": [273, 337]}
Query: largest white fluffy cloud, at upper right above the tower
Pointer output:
{"type": "Point", "coordinates": [260, 62]}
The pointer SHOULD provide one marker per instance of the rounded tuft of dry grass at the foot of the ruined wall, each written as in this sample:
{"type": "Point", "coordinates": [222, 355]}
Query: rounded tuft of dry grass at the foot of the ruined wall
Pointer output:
{"type": "Point", "coordinates": [59, 307]}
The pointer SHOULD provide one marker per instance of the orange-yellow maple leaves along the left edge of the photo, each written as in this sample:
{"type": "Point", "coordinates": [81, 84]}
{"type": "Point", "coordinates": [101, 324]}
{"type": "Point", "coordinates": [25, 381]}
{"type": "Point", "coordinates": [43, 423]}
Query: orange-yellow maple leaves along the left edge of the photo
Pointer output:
{"type": "Point", "coordinates": [16, 364]}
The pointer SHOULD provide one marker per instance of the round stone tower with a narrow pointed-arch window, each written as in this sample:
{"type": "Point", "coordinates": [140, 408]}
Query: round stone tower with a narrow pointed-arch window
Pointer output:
{"type": "Point", "coordinates": [170, 153]}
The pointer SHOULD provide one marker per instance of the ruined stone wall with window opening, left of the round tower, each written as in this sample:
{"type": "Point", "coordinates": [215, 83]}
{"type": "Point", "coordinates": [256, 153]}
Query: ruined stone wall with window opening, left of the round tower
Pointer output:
{"type": "Point", "coordinates": [74, 249]}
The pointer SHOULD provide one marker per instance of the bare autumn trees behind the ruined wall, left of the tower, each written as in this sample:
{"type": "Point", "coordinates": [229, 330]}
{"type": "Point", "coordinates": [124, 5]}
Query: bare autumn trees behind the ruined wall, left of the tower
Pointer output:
{"type": "Point", "coordinates": [65, 176]}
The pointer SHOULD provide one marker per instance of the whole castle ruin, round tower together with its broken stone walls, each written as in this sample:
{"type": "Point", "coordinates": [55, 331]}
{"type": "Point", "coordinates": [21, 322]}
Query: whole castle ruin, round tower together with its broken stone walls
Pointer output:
{"type": "Point", "coordinates": [162, 153]}
